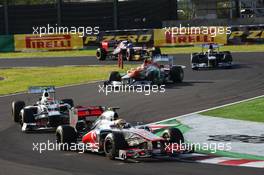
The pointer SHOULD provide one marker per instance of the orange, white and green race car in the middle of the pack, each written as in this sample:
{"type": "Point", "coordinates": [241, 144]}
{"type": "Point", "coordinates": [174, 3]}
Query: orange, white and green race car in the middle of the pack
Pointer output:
{"type": "Point", "coordinates": [159, 70]}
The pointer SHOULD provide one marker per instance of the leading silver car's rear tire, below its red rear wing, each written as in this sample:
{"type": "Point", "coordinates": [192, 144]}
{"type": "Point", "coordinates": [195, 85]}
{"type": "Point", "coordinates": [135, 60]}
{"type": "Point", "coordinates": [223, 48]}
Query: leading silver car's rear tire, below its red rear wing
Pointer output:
{"type": "Point", "coordinates": [66, 136]}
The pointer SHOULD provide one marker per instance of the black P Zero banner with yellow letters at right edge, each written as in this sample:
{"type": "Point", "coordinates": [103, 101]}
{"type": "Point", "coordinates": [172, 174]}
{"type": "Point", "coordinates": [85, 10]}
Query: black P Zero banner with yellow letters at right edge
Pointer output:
{"type": "Point", "coordinates": [246, 35]}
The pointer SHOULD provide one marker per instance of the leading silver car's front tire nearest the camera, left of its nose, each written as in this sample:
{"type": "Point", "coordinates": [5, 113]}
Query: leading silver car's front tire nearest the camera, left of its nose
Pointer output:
{"type": "Point", "coordinates": [113, 143]}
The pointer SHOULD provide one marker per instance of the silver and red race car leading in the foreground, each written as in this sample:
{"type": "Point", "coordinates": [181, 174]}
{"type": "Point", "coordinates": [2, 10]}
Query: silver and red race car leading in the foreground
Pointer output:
{"type": "Point", "coordinates": [118, 139]}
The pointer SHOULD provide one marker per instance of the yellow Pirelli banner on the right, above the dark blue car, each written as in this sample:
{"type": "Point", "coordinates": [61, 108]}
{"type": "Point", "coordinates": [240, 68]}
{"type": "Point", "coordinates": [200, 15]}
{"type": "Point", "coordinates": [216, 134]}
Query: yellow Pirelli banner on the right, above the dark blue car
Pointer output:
{"type": "Point", "coordinates": [163, 37]}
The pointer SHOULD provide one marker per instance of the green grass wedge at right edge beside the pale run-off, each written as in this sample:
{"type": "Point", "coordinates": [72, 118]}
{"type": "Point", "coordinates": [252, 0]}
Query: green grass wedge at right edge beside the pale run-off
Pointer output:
{"type": "Point", "coordinates": [252, 110]}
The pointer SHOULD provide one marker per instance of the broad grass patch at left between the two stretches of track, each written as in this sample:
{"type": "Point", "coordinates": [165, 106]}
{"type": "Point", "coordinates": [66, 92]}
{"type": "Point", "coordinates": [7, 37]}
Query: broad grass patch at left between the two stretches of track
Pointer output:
{"type": "Point", "coordinates": [19, 79]}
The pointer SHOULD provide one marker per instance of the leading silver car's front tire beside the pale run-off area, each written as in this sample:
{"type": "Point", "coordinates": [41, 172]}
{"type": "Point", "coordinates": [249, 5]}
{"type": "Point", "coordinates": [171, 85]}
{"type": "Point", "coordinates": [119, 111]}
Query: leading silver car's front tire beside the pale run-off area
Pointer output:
{"type": "Point", "coordinates": [173, 135]}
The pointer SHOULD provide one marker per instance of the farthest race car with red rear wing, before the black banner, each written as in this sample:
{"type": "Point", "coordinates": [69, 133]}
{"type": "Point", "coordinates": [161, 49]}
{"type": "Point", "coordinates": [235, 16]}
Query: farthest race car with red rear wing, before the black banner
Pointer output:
{"type": "Point", "coordinates": [111, 49]}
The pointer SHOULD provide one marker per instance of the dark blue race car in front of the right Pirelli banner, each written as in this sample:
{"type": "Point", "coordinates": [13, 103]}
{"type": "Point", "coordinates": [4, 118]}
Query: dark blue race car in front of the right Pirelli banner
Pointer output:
{"type": "Point", "coordinates": [211, 58]}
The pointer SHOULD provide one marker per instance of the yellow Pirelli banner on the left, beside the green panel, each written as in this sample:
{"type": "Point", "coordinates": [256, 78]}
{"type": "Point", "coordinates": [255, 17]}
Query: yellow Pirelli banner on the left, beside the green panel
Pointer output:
{"type": "Point", "coordinates": [47, 42]}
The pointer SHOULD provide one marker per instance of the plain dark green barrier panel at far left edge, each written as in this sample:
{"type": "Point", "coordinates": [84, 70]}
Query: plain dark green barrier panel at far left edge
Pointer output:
{"type": "Point", "coordinates": [7, 43]}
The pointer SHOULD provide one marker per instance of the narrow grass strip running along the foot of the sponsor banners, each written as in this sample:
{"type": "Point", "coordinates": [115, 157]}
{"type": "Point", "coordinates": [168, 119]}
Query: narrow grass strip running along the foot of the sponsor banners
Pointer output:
{"type": "Point", "coordinates": [166, 50]}
